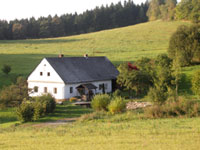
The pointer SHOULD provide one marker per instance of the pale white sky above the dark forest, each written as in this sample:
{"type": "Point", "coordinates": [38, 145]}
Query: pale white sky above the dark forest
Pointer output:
{"type": "Point", "coordinates": [18, 9]}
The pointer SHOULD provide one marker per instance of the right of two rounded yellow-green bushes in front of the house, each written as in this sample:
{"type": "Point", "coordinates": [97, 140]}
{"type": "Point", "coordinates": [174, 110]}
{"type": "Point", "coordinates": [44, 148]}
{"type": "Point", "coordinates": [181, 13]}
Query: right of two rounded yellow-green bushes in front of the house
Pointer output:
{"type": "Point", "coordinates": [117, 105]}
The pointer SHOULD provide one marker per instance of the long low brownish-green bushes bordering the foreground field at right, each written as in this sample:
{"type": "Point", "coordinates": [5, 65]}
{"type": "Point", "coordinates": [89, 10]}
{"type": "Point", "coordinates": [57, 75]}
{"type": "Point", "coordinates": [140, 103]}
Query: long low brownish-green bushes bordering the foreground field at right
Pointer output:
{"type": "Point", "coordinates": [177, 108]}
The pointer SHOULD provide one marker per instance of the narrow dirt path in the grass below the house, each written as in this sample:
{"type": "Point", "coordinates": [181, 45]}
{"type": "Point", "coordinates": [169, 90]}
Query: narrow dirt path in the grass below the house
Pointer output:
{"type": "Point", "coordinates": [55, 123]}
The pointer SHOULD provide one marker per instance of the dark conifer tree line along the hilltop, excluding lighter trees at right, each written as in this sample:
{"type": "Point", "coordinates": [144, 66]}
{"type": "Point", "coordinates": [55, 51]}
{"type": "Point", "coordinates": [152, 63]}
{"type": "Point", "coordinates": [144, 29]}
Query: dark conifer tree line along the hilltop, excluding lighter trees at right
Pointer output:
{"type": "Point", "coordinates": [100, 18]}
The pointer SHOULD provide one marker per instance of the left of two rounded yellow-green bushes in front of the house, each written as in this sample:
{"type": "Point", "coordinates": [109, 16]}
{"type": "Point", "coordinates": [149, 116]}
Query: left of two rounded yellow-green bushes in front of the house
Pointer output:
{"type": "Point", "coordinates": [100, 102]}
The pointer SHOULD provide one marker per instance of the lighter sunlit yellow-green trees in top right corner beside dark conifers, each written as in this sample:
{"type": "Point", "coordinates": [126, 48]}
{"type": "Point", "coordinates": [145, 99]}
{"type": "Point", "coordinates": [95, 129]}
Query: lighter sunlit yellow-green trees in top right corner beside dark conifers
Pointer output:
{"type": "Point", "coordinates": [170, 10]}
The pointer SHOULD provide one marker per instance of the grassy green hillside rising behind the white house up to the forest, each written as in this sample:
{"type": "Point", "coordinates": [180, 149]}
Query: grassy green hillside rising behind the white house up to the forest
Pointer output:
{"type": "Point", "coordinates": [121, 44]}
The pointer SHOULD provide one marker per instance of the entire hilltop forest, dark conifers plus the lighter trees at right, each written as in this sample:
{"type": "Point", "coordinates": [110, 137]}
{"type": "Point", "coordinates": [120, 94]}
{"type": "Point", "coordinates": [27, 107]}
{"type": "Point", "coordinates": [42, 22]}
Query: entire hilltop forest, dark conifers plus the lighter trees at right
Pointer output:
{"type": "Point", "coordinates": [100, 18]}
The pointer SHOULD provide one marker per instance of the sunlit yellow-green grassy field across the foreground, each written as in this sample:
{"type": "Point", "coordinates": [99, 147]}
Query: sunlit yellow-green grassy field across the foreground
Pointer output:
{"type": "Point", "coordinates": [123, 131]}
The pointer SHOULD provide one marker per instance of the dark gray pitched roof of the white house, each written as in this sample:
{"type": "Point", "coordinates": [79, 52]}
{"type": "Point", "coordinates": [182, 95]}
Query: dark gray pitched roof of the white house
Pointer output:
{"type": "Point", "coordinates": [81, 69]}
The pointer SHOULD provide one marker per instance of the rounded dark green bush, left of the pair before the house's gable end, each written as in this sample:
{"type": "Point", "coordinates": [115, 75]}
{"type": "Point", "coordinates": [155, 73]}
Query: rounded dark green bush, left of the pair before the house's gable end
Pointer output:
{"type": "Point", "coordinates": [25, 112]}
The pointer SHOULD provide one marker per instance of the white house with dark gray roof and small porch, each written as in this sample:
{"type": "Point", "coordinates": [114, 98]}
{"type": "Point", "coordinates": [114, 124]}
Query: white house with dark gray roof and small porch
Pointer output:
{"type": "Point", "coordinates": [66, 77]}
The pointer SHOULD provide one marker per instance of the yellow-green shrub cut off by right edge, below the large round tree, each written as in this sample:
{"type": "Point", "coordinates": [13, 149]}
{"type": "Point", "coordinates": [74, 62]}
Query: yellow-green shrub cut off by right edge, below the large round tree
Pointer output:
{"type": "Point", "coordinates": [196, 83]}
